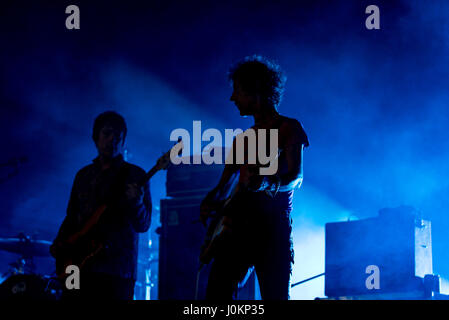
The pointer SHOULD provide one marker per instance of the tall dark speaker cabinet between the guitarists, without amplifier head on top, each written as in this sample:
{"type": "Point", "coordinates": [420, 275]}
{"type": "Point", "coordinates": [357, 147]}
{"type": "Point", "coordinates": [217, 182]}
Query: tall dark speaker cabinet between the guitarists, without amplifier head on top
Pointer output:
{"type": "Point", "coordinates": [181, 237]}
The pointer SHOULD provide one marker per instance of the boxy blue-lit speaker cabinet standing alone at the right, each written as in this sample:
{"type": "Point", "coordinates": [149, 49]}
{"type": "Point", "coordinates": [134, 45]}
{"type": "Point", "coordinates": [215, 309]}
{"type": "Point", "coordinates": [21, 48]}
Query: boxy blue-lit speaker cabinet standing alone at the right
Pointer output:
{"type": "Point", "coordinates": [389, 253]}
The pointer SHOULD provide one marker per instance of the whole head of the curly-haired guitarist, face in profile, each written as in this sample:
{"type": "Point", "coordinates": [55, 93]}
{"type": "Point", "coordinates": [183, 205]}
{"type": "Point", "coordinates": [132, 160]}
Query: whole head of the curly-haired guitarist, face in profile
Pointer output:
{"type": "Point", "coordinates": [257, 83]}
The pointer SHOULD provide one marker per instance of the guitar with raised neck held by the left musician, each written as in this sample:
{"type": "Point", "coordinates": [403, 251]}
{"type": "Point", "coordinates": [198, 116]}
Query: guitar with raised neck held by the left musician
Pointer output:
{"type": "Point", "coordinates": [79, 247]}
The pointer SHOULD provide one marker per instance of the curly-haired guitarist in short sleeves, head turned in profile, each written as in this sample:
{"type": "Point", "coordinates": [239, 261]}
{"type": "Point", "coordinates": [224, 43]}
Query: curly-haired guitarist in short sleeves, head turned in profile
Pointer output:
{"type": "Point", "coordinates": [257, 222]}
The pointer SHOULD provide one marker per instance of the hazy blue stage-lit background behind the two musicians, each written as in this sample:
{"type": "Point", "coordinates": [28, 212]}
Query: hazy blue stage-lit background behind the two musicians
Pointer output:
{"type": "Point", "coordinates": [374, 102]}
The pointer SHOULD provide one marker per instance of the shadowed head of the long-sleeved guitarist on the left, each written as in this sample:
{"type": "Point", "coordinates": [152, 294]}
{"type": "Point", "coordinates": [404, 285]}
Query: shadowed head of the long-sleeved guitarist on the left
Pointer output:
{"type": "Point", "coordinates": [109, 134]}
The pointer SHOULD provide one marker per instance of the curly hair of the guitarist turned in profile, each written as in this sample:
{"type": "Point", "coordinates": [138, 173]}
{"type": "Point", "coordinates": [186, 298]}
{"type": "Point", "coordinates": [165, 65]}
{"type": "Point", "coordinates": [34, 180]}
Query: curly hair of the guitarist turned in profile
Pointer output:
{"type": "Point", "coordinates": [258, 75]}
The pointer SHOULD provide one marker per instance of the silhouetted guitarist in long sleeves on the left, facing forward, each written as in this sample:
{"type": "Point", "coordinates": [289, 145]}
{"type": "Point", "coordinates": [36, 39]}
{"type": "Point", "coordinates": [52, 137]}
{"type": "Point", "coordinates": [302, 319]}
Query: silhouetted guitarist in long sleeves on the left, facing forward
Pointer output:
{"type": "Point", "coordinates": [114, 185]}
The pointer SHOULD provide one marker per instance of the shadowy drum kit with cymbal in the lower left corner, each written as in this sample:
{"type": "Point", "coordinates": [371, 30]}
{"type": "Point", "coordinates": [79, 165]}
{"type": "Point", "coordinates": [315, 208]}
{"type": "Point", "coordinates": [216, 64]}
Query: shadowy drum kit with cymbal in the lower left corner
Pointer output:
{"type": "Point", "coordinates": [22, 281]}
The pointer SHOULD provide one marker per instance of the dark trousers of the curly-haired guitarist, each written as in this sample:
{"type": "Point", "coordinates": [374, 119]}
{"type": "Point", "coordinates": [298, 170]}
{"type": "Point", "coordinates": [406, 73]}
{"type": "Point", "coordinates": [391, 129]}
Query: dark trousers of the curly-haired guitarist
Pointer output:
{"type": "Point", "coordinates": [263, 241]}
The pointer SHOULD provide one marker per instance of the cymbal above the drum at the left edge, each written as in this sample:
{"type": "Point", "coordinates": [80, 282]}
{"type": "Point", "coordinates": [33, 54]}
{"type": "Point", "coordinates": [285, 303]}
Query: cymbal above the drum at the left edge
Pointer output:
{"type": "Point", "coordinates": [26, 246]}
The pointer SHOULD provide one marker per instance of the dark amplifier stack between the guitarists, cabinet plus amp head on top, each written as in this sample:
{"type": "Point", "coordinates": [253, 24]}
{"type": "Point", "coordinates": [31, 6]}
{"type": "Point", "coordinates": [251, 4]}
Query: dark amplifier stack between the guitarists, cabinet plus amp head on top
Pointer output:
{"type": "Point", "coordinates": [181, 234]}
